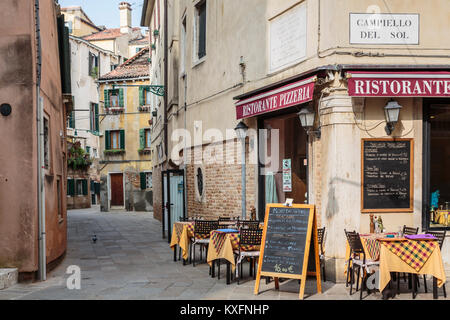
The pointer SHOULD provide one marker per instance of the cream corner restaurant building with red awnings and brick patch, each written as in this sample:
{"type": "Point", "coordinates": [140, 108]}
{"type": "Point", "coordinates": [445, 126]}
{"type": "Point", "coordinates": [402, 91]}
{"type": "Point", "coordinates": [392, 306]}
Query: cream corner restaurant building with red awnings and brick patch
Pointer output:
{"type": "Point", "coordinates": [374, 78]}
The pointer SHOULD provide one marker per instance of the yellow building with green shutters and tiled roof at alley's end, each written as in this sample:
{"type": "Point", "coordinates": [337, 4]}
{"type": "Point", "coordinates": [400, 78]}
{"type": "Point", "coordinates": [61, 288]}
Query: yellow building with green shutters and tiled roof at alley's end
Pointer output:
{"type": "Point", "coordinates": [126, 170]}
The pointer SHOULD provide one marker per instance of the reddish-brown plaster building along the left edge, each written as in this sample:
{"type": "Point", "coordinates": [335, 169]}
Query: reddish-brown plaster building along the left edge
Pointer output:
{"type": "Point", "coordinates": [35, 91]}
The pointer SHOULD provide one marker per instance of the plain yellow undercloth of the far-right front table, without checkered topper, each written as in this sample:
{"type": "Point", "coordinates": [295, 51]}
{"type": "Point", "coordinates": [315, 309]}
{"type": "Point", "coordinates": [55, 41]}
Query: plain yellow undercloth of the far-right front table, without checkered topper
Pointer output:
{"type": "Point", "coordinates": [391, 262]}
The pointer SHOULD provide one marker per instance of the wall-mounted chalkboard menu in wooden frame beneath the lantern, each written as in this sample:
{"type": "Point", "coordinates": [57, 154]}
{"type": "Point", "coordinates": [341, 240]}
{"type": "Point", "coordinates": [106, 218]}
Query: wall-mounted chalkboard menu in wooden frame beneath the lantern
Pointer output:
{"type": "Point", "coordinates": [387, 175]}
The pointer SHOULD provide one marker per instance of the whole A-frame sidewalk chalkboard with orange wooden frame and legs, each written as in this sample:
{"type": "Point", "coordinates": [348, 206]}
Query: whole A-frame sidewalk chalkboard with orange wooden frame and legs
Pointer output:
{"type": "Point", "coordinates": [289, 245]}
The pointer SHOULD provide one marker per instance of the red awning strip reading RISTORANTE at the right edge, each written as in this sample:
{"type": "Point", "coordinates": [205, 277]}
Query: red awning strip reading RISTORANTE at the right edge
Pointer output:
{"type": "Point", "coordinates": [398, 84]}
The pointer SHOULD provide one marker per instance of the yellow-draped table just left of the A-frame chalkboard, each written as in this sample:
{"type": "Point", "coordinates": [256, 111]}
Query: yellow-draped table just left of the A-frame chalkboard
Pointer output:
{"type": "Point", "coordinates": [221, 246]}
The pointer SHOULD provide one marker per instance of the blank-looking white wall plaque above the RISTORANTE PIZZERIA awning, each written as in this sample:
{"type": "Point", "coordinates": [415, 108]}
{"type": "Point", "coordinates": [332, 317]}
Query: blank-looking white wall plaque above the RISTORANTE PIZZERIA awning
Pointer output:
{"type": "Point", "coordinates": [288, 38]}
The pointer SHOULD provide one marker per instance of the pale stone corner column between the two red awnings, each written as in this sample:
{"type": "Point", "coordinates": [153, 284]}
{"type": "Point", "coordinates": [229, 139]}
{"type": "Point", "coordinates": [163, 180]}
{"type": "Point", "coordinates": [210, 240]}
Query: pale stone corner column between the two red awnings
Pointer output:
{"type": "Point", "coordinates": [340, 176]}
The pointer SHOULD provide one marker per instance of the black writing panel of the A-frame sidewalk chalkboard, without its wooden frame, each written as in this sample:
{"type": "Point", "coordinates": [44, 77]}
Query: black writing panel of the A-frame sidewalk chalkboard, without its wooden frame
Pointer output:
{"type": "Point", "coordinates": [284, 247]}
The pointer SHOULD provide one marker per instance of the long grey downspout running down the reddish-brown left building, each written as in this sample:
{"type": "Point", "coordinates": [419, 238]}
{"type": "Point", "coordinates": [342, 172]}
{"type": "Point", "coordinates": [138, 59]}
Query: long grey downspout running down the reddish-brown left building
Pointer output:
{"type": "Point", "coordinates": [42, 261]}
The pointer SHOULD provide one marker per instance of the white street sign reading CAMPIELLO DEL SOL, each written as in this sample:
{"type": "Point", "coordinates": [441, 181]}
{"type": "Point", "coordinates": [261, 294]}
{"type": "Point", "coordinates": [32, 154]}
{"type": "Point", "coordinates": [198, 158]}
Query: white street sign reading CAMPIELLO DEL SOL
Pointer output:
{"type": "Point", "coordinates": [384, 28]}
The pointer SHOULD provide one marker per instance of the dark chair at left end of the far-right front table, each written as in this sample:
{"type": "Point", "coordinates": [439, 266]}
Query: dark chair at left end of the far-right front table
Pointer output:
{"type": "Point", "coordinates": [362, 265]}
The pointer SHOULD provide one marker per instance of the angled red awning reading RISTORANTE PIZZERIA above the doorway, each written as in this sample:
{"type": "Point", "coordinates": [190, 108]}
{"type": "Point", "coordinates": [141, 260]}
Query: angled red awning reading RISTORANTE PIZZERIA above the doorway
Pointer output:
{"type": "Point", "coordinates": [287, 96]}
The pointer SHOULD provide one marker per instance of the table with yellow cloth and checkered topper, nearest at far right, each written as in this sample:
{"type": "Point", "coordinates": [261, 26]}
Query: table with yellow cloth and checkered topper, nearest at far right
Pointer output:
{"type": "Point", "coordinates": [411, 256]}
